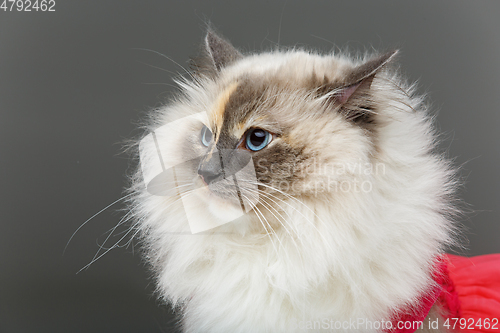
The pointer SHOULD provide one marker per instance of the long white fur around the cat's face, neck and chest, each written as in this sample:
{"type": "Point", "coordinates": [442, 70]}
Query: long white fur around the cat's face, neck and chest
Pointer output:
{"type": "Point", "coordinates": [345, 256]}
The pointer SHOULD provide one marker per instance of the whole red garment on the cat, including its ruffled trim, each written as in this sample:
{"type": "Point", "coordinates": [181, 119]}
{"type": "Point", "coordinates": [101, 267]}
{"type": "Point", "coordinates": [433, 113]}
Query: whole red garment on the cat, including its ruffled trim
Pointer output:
{"type": "Point", "coordinates": [468, 290]}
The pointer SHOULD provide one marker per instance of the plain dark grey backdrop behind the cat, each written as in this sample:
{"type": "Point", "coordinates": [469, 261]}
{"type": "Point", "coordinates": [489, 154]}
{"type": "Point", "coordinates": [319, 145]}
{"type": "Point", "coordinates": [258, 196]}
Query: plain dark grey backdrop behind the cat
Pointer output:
{"type": "Point", "coordinates": [72, 85]}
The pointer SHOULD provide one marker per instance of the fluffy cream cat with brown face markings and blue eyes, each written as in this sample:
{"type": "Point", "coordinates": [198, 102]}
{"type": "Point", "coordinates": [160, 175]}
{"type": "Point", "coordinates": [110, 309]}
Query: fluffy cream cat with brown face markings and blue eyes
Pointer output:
{"type": "Point", "coordinates": [293, 191]}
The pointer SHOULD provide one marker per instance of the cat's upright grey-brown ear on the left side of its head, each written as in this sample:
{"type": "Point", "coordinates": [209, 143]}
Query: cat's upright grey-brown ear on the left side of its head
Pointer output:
{"type": "Point", "coordinates": [216, 54]}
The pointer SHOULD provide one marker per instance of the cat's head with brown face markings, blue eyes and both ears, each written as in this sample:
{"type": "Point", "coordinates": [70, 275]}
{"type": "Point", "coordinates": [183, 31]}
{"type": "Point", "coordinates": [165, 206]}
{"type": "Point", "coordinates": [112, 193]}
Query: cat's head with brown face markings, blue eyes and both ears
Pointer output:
{"type": "Point", "coordinates": [251, 132]}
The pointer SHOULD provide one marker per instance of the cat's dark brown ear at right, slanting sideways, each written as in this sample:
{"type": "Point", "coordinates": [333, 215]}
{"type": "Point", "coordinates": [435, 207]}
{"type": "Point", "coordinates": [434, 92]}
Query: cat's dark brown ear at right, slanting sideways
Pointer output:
{"type": "Point", "coordinates": [354, 93]}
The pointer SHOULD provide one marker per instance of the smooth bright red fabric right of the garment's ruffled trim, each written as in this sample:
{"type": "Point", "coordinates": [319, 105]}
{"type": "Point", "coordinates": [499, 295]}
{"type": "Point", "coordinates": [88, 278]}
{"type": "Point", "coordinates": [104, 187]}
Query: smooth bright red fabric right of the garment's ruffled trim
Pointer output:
{"type": "Point", "coordinates": [477, 282]}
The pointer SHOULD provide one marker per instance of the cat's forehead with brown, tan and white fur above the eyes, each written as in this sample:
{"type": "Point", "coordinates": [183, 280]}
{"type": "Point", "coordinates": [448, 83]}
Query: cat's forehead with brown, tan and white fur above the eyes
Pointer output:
{"type": "Point", "coordinates": [250, 93]}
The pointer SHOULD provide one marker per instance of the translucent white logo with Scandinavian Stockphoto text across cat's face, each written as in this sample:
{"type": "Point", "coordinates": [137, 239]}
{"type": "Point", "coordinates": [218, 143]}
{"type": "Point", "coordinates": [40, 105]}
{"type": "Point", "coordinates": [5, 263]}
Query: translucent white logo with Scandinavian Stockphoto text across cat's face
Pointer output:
{"type": "Point", "coordinates": [217, 186]}
